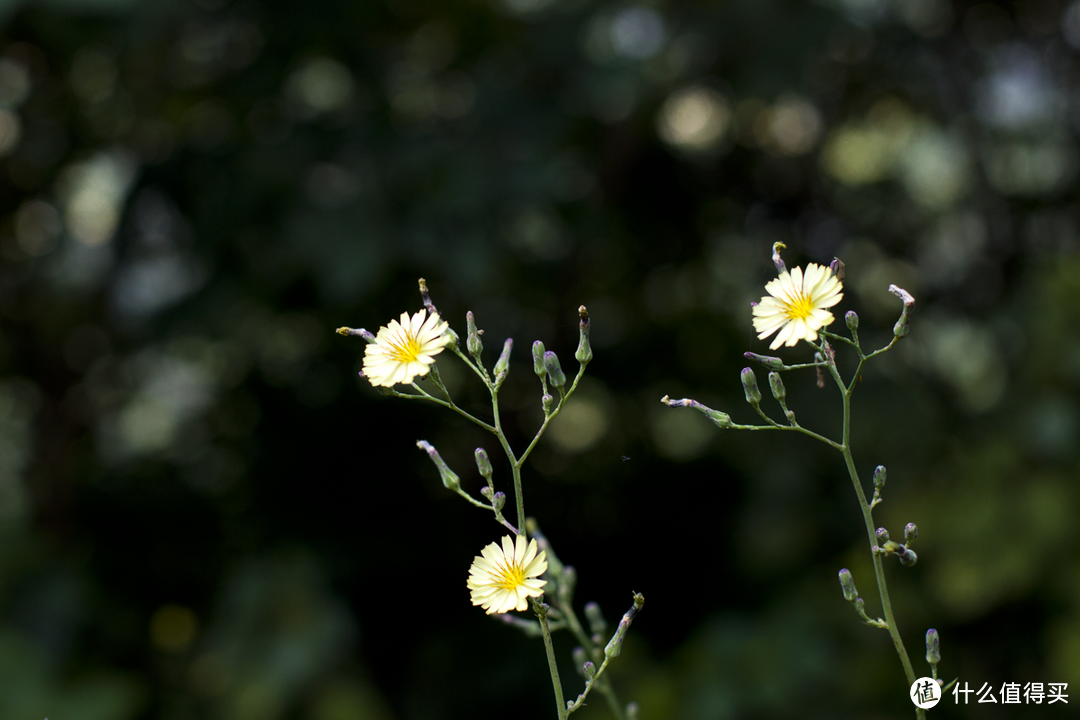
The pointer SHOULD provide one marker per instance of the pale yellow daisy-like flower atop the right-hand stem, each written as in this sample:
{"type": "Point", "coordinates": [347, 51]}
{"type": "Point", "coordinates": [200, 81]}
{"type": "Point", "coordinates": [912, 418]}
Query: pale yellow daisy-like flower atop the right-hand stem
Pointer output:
{"type": "Point", "coordinates": [796, 306]}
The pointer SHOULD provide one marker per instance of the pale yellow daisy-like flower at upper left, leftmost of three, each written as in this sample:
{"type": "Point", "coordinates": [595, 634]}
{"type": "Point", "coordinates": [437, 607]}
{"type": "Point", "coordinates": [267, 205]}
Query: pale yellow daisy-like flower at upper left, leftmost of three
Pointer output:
{"type": "Point", "coordinates": [406, 349]}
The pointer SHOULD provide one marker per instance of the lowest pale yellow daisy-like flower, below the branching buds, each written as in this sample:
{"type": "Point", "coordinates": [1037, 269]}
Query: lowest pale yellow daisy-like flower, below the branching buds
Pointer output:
{"type": "Point", "coordinates": [502, 579]}
